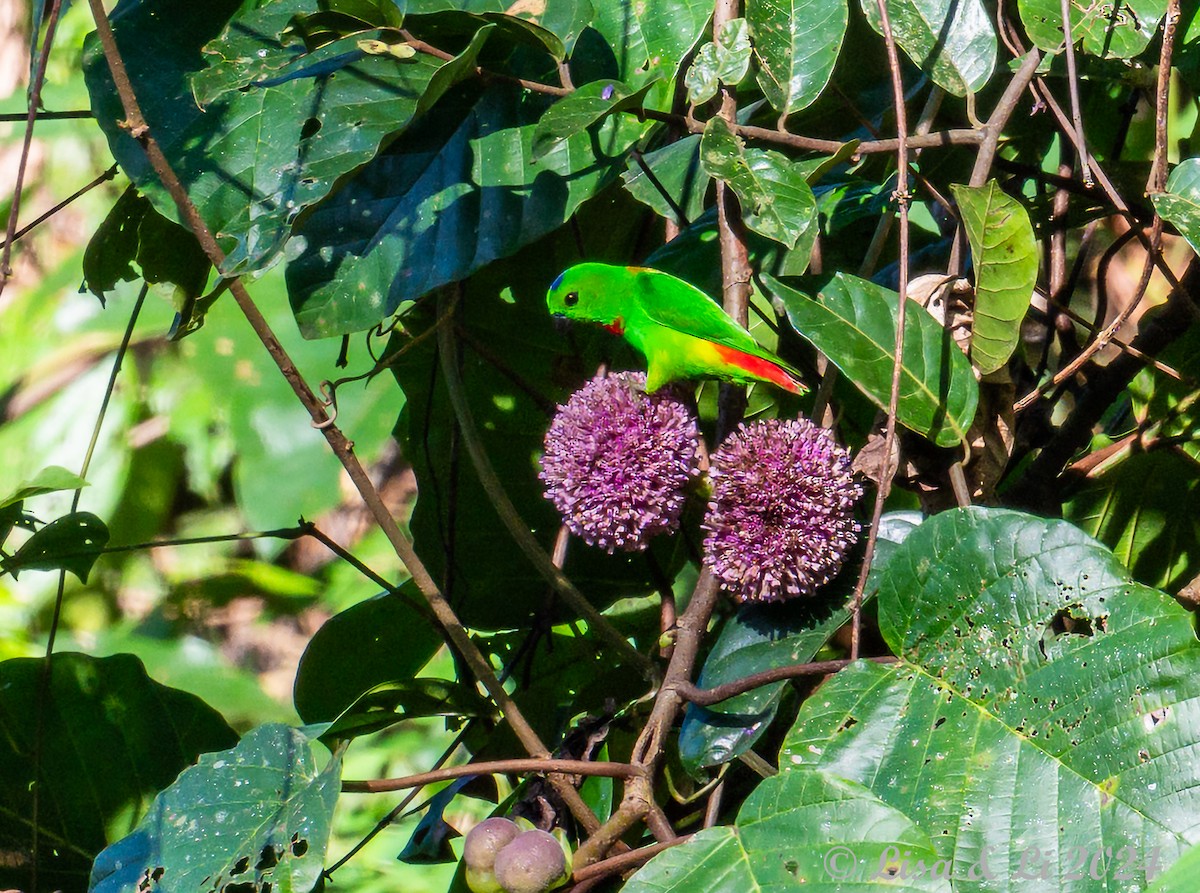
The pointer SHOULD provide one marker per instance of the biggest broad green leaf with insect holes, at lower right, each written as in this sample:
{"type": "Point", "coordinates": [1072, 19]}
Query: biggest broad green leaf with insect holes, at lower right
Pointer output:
{"type": "Point", "coordinates": [1035, 680]}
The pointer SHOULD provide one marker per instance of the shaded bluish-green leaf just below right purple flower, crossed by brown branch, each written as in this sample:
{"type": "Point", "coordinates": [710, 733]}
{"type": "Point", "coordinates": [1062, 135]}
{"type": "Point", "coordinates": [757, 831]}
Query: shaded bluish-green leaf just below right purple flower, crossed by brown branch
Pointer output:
{"type": "Point", "coordinates": [763, 638]}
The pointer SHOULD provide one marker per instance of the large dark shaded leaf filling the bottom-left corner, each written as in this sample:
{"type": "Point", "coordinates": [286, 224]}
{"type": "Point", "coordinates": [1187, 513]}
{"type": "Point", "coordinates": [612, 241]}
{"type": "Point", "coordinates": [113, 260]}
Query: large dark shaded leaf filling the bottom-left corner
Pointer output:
{"type": "Point", "coordinates": [112, 740]}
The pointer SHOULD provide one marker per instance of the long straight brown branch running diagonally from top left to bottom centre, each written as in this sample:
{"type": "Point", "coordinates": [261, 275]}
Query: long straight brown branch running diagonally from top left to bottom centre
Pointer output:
{"type": "Point", "coordinates": [338, 441]}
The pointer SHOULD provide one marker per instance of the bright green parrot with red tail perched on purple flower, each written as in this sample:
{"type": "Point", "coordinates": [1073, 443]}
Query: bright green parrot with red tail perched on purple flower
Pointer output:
{"type": "Point", "coordinates": [680, 331]}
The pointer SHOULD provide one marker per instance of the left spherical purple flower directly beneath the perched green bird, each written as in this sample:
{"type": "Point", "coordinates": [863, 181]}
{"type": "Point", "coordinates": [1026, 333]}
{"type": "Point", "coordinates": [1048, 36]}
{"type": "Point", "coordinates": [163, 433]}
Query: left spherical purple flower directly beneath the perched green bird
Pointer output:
{"type": "Point", "coordinates": [619, 462]}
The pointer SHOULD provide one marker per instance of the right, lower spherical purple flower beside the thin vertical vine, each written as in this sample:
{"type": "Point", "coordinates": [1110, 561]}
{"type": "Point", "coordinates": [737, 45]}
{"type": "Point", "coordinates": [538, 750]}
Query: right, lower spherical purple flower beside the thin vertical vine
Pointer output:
{"type": "Point", "coordinates": [781, 519]}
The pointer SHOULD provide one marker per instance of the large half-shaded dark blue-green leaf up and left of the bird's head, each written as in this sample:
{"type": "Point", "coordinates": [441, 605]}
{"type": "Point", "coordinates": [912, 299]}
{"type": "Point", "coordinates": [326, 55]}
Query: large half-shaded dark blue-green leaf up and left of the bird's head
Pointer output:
{"type": "Point", "coordinates": [457, 196]}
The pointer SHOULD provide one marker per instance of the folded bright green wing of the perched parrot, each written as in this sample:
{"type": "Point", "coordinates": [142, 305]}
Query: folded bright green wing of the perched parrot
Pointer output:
{"type": "Point", "coordinates": [679, 305]}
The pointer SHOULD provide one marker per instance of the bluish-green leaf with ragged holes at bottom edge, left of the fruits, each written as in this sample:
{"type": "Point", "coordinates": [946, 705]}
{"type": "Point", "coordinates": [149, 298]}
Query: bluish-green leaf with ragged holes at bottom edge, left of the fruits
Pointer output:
{"type": "Point", "coordinates": [256, 814]}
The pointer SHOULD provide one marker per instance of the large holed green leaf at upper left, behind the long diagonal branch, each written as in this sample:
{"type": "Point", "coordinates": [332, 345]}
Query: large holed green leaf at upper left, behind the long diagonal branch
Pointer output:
{"type": "Point", "coordinates": [280, 125]}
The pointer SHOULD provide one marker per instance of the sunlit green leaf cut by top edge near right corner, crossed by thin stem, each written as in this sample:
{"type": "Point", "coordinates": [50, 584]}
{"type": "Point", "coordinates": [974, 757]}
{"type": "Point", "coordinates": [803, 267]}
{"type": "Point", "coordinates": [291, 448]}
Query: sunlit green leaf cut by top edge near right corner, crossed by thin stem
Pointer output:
{"type": "Point", "coordinates": [1108, 31]}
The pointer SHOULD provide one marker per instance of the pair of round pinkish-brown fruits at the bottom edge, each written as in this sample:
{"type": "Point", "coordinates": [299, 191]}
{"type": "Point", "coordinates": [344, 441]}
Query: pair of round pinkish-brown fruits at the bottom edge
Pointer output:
{"type": "Point", "coordinates": [503, 858]}
